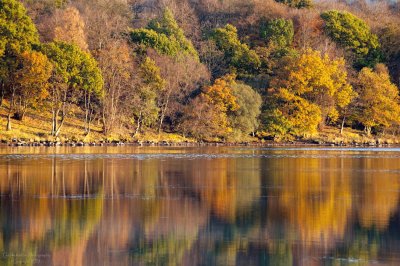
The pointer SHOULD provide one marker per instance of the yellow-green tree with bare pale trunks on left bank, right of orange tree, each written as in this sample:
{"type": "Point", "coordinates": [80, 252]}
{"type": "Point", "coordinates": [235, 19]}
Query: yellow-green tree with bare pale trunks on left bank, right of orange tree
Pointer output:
{"type": "Point", "coordinates": [75, 73]}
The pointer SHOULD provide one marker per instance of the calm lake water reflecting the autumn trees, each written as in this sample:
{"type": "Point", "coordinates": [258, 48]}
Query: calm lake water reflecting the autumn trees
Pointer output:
{"type": "Point", "coordinates": [199, 206]}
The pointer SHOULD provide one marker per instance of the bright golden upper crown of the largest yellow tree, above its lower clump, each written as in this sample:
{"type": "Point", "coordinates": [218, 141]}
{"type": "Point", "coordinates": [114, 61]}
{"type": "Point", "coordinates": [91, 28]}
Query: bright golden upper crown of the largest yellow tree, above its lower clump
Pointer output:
{"type": "Point", "coordinates": [320, 80]}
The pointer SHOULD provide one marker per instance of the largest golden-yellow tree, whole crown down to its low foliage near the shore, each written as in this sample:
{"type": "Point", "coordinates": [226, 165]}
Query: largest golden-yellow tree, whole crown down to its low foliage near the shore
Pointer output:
{"type": "Point", "coordinates": [310, 81]}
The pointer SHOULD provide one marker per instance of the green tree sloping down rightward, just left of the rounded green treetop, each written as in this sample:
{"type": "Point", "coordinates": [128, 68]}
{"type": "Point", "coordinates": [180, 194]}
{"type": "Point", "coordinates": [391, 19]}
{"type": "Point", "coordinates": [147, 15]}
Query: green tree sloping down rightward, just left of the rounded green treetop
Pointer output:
{"type": "Point", "coordinates": [238, 55]}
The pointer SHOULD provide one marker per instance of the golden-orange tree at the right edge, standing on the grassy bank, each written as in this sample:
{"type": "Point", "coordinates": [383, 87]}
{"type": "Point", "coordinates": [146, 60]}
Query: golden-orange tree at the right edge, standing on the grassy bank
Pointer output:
{"type": "Point", "coordinates": [378, 101]}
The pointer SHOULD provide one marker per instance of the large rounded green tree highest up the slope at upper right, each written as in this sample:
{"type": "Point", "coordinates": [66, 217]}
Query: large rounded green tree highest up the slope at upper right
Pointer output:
{"type": "Point", "coordinates": [353, 34]}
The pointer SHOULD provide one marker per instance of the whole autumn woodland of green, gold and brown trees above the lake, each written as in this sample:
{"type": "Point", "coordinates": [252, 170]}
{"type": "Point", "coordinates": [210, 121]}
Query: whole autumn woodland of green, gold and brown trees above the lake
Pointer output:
{"type": "Point", "coordinates": [205, 70]}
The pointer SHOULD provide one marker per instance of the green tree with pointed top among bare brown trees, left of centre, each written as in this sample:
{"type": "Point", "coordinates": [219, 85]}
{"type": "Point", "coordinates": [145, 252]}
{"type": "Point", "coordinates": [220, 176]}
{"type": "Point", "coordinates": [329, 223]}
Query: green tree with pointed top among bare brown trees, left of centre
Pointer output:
{"type": "Point", "coordinates": [165, 36]}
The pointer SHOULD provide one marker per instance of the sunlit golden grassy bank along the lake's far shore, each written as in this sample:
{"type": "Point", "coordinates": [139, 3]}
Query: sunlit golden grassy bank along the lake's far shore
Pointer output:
{"type": "Point", "coordinates": [36, 128]}
